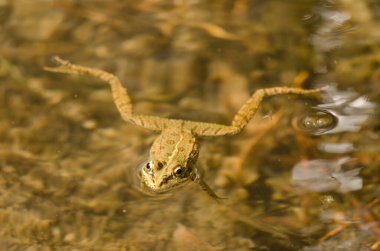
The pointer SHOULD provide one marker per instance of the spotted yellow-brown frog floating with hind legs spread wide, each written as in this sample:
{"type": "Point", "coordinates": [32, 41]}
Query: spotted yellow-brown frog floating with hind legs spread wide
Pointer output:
{"type": "Point", "coordinates": [175, 151]}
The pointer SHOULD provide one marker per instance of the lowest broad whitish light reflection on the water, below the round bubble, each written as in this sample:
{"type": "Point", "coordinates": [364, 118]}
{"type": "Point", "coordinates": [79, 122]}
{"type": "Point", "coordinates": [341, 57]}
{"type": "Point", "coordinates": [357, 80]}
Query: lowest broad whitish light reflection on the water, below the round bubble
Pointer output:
{"type": "Point", "coordinates": [326, 175]}
